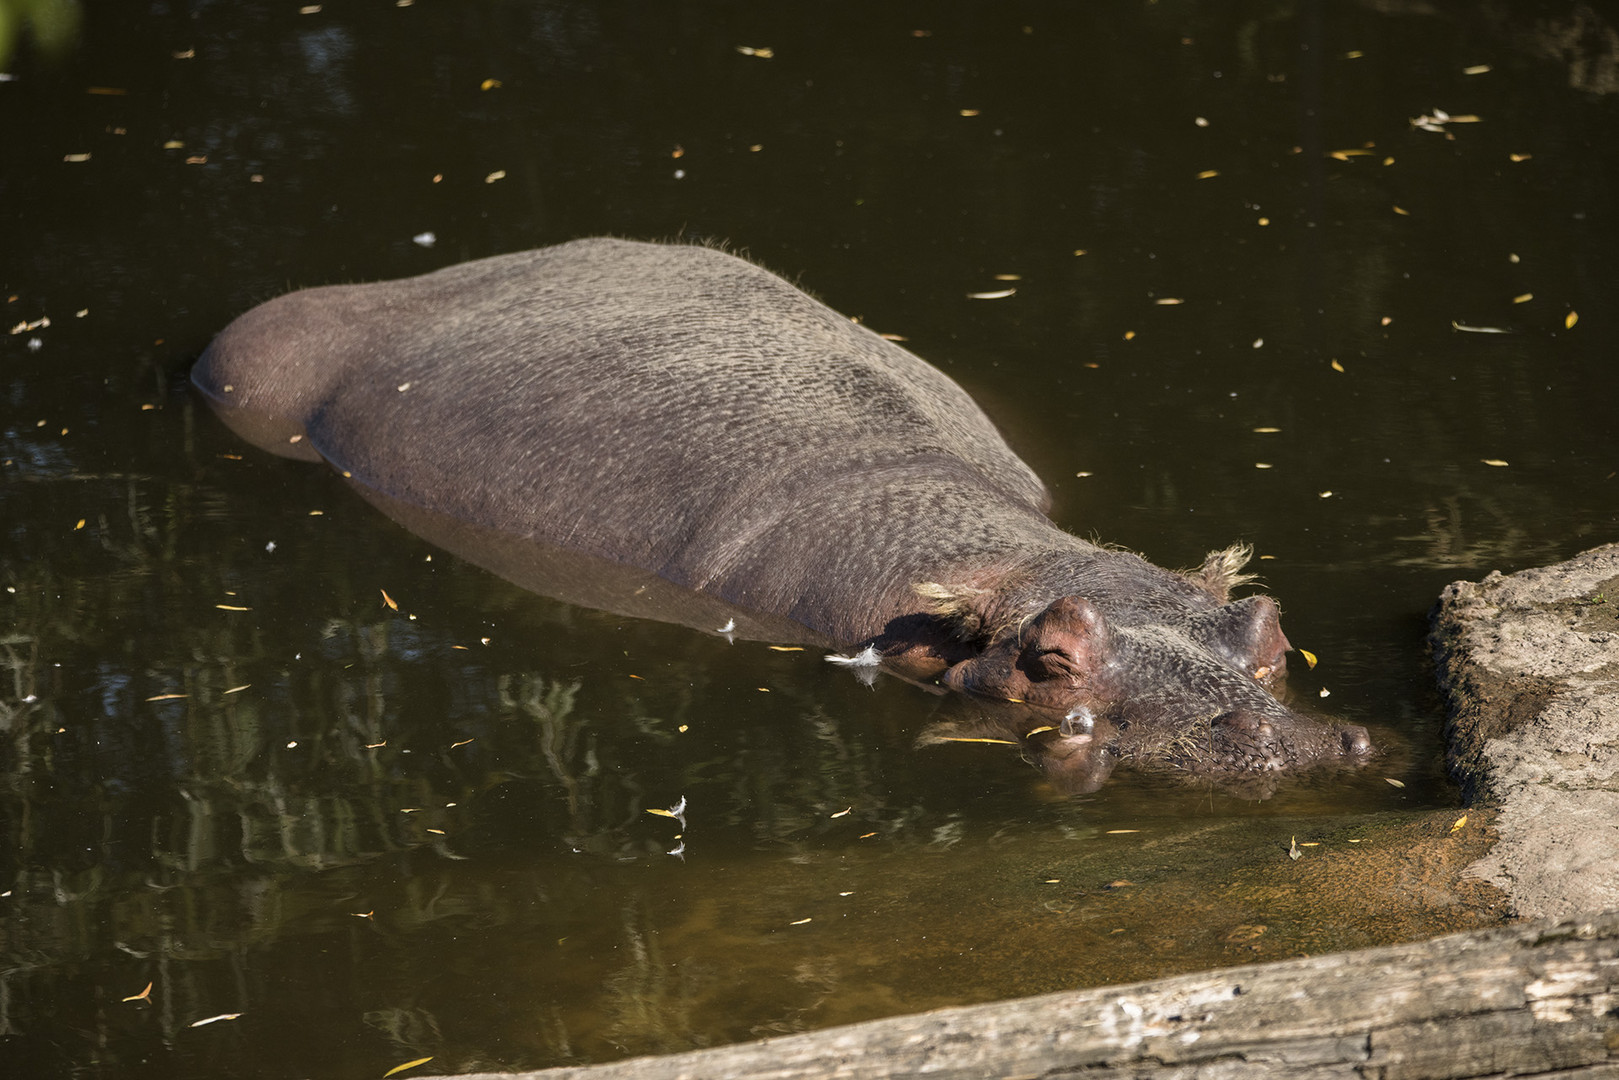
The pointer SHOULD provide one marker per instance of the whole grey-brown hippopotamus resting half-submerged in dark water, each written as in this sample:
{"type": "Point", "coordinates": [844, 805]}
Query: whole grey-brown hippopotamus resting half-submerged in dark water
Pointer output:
{"type": "Point", "coordinates": [699, 427]}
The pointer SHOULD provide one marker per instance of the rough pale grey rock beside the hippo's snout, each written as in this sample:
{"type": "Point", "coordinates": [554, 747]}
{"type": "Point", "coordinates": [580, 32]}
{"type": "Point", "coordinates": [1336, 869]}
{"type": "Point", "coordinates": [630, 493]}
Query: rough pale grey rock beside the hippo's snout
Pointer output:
{"type": "Point", "coordinates": [1531, 668]}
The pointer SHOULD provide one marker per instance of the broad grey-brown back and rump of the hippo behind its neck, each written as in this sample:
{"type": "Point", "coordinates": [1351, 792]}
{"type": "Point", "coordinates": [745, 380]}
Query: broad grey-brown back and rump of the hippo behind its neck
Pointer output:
{"type": "Point", "coordinates": [650, 404]}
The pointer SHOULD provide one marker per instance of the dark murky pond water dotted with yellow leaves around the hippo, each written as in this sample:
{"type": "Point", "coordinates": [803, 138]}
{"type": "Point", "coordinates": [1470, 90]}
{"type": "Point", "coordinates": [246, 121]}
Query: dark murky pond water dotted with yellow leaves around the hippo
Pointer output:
{"type": "Point", "coordinates": [1254, 302]}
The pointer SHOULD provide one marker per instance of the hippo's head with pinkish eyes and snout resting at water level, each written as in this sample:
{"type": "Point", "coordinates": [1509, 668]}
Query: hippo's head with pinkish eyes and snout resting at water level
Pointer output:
{"type": "Point", "coordinates": [1192, 692]}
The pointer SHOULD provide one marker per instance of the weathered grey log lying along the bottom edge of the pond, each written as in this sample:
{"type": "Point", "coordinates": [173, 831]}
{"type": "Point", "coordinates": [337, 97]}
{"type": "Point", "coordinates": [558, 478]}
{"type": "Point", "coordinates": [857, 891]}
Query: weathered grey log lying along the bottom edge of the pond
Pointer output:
{"type": "Point", "coordinates": [1536, 998]}
